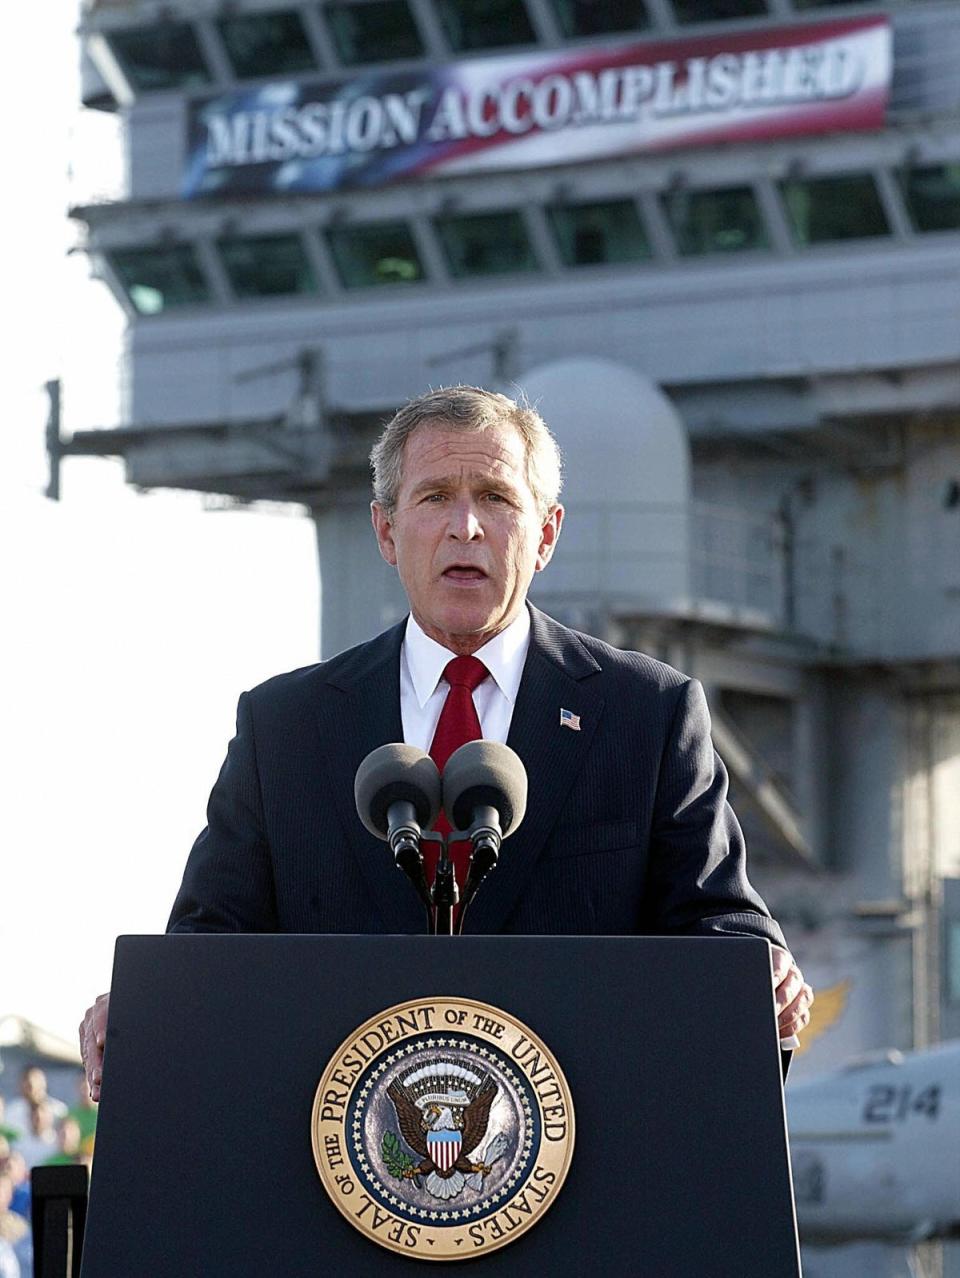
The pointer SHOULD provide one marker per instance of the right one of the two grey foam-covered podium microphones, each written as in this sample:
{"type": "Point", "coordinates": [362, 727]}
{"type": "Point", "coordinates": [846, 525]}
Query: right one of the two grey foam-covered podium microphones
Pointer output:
{"type": "Point", "coordinates": [485, 796]}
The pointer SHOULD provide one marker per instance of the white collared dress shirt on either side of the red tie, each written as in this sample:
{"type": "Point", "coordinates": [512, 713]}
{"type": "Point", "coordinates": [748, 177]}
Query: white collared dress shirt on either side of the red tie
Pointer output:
{"type": "Point", "coordinates": [424, 689]}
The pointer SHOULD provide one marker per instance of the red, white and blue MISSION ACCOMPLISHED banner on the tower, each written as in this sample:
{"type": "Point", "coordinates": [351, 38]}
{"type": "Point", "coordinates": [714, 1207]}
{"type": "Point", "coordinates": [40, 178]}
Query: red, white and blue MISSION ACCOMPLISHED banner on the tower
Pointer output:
{"type": "Point", "coordinates": [531, 111]}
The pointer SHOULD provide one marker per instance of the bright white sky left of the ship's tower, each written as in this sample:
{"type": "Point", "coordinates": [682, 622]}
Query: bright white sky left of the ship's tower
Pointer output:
{"type": "Point", "coordinates": [131, 623]}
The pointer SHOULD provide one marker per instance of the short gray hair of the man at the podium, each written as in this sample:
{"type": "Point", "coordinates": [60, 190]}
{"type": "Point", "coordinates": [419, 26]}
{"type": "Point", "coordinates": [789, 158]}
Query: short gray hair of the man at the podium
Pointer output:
{"type": "Point", "coordinates": [468, 408]}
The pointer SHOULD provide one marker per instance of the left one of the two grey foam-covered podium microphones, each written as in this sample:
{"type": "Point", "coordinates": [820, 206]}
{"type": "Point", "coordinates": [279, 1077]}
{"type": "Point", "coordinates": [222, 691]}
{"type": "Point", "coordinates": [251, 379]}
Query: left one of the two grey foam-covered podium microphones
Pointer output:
{"type": "Point", "coordinates": [397, 790]}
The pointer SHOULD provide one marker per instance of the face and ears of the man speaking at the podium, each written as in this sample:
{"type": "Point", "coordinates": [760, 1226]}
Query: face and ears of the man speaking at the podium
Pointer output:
{"type": "Point", "coordinates": [466, 535]}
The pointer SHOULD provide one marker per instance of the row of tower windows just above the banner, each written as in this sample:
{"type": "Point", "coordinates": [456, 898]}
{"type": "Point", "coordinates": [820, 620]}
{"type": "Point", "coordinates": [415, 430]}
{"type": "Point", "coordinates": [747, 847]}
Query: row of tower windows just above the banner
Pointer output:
{"type": "Point", "coordinates": [373, 31]}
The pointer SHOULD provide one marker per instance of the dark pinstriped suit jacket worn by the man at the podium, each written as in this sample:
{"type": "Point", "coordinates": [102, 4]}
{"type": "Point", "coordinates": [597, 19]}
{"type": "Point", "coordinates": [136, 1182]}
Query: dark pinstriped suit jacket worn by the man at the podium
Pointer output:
{"type": "Point", "coordinates": [627, 829]}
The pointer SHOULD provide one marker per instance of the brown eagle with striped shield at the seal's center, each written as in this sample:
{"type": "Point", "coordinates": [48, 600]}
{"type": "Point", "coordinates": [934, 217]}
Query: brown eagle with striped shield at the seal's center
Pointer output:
{"type": "Point", "coordinates": [444, 1136]}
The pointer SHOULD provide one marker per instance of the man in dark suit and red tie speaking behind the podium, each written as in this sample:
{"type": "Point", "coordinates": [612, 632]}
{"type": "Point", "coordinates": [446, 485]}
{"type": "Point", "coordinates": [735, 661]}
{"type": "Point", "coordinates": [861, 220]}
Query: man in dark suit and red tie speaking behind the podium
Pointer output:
{"type": "Point", "coordinates": [628, 829]}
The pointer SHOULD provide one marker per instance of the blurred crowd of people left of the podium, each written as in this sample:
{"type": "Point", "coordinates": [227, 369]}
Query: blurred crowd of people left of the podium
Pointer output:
{"type": "Point", "coordinates": [36, 1130]}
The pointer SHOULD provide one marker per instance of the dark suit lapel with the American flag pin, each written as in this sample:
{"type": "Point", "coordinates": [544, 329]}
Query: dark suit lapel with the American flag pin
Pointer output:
{"type": "Point", "coordinates": [558, 675]}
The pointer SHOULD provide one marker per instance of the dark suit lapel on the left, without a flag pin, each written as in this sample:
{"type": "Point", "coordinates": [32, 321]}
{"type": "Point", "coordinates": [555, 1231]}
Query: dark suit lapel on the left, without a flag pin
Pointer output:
{"type": "Point", "coordinates": [360, 711]}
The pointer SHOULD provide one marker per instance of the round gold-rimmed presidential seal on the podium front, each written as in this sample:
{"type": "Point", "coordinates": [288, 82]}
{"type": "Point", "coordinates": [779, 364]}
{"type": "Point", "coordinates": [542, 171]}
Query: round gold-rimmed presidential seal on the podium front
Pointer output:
{"type": "Point", "coordinates": [443, 1129]}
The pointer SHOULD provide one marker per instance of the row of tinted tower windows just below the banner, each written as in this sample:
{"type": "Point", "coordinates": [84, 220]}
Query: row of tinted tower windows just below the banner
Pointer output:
{"type": "Point", "coordinates": [612, 232]}
